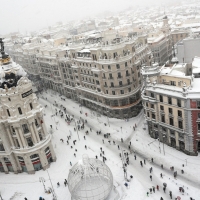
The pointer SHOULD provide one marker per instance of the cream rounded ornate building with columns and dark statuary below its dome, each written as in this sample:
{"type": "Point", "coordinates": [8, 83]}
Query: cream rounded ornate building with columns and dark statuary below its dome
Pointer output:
{"type": "Point", "coordinates": [25, 145]}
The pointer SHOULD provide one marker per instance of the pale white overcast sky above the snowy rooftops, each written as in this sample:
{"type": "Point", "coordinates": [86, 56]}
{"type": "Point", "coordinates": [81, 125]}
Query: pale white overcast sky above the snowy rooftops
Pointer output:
{"type": "Point", "coordinates": [32, 15]}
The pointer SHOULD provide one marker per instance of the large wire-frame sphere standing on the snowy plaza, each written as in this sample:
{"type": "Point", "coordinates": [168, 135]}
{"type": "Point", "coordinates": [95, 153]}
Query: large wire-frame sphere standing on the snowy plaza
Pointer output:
{"type": "Point", "coordinates": [90, 179]}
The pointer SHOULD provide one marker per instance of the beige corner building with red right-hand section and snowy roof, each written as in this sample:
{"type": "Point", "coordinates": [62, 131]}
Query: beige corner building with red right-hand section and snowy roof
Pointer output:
{"type": "Point", "coordinates": [171, 104]}
